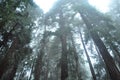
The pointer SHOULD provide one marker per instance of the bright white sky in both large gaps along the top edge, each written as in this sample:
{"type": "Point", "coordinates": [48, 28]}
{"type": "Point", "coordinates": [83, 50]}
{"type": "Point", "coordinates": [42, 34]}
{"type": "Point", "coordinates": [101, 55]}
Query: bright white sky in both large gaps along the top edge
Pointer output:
{"type": "Point", "coordinates": [101, 5]}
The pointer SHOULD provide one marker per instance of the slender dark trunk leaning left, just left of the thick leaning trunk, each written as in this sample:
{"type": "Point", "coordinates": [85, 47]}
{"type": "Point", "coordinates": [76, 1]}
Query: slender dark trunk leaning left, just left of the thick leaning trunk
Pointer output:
{"type": "Point", "coordinates": [88, 58]}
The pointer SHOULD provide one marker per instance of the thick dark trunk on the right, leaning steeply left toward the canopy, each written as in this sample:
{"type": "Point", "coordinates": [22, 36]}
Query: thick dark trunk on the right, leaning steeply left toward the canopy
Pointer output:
{"type": "Point", "coordinates": [110, 64]}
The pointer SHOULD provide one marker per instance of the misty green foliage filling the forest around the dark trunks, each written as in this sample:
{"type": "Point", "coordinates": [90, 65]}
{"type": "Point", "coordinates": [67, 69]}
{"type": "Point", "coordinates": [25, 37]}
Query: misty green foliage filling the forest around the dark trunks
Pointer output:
{"type": "Point", "coordinates": [22, 19]}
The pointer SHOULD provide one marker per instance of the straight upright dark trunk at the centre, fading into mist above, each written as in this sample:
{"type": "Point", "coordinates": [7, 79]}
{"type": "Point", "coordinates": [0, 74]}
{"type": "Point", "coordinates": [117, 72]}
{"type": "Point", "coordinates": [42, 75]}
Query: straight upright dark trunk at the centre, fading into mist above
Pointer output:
{"type": "Point", "coordinates": [63, 37]}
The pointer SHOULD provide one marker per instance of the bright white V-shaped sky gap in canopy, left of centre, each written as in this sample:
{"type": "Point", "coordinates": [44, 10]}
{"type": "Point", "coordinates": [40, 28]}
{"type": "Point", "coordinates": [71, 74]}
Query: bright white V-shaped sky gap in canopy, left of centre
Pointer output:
{"type": "Point", "coordinates": [45, 4]}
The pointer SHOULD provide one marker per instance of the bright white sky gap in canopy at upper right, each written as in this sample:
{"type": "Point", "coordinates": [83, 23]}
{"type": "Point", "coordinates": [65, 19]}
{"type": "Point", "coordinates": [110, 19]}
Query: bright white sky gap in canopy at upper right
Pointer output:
{"type": "Point", "coordinates": [101, 5]}
